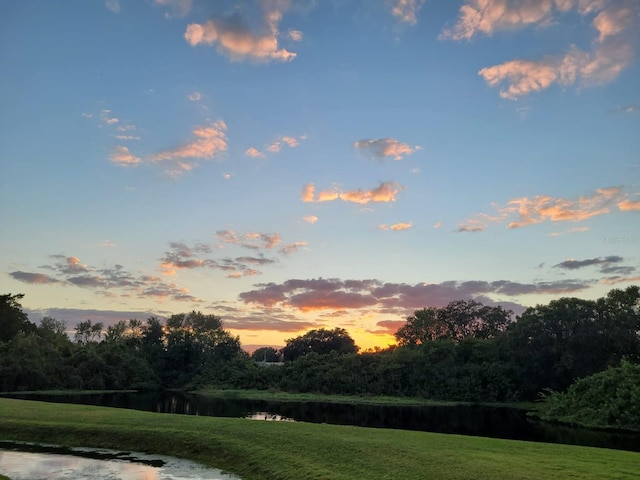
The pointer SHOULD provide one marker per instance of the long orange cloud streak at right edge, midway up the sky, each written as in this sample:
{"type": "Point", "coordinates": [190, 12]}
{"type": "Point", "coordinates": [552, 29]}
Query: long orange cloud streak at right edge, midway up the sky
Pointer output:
{"type": "Point", "coordinates": [521, 212]}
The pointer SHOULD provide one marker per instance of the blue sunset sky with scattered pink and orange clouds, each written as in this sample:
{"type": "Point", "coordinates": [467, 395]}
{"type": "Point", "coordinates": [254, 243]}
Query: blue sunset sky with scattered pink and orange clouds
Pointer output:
{"type": "Point", "coordinates": [293, 165]}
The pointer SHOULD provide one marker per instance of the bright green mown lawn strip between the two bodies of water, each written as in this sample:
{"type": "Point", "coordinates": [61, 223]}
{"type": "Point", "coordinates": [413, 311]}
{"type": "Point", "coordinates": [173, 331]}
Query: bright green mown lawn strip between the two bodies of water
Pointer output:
{"type": "Point", "coordinates": [283, 450]}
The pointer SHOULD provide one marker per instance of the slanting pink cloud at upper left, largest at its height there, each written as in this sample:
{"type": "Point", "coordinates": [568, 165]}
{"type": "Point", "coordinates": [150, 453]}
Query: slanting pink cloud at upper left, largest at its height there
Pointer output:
{"type": "Point", "coordinates": [210, 141]}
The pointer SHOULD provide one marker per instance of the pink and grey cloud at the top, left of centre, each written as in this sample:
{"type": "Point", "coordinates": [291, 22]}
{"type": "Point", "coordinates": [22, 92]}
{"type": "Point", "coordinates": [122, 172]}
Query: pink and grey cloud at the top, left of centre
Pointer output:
{"type": "Point", "coordinates": [236, 40]}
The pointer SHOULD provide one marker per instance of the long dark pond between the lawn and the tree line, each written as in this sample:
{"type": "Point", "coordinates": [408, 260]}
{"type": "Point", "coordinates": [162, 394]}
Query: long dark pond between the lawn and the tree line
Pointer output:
{"type": "Point", "coordinates": [477, 420]}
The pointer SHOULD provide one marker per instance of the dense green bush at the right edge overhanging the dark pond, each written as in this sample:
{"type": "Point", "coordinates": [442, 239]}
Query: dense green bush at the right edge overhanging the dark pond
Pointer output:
{"type": "Point", "coordinates": [609, 399]}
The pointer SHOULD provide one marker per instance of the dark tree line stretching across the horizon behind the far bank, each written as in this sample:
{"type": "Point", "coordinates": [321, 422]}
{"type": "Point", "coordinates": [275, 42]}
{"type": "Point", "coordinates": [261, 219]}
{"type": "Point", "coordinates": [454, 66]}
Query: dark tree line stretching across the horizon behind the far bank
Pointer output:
{"type": "Point", "coordinates": [464, 351]}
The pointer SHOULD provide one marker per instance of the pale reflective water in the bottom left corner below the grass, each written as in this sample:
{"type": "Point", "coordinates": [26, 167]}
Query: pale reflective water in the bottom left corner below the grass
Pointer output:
{"type": "Point", "coordinates": [25, 461]}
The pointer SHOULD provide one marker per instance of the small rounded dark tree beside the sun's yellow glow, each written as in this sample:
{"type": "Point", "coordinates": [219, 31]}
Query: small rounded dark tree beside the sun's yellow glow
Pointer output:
{"type": "Point", "coordinates": [321, 341]}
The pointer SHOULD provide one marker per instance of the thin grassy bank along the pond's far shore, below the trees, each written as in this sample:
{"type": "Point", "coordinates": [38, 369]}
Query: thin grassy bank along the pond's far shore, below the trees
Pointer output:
{"type": "Point", "coordinates": [277, 396]}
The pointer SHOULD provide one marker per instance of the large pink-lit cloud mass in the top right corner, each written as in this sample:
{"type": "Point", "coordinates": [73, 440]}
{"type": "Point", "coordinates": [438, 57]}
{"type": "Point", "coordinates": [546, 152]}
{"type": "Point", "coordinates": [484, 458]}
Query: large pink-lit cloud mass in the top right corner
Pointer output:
{"type": "Point", "coordinates": [611, 54]}
